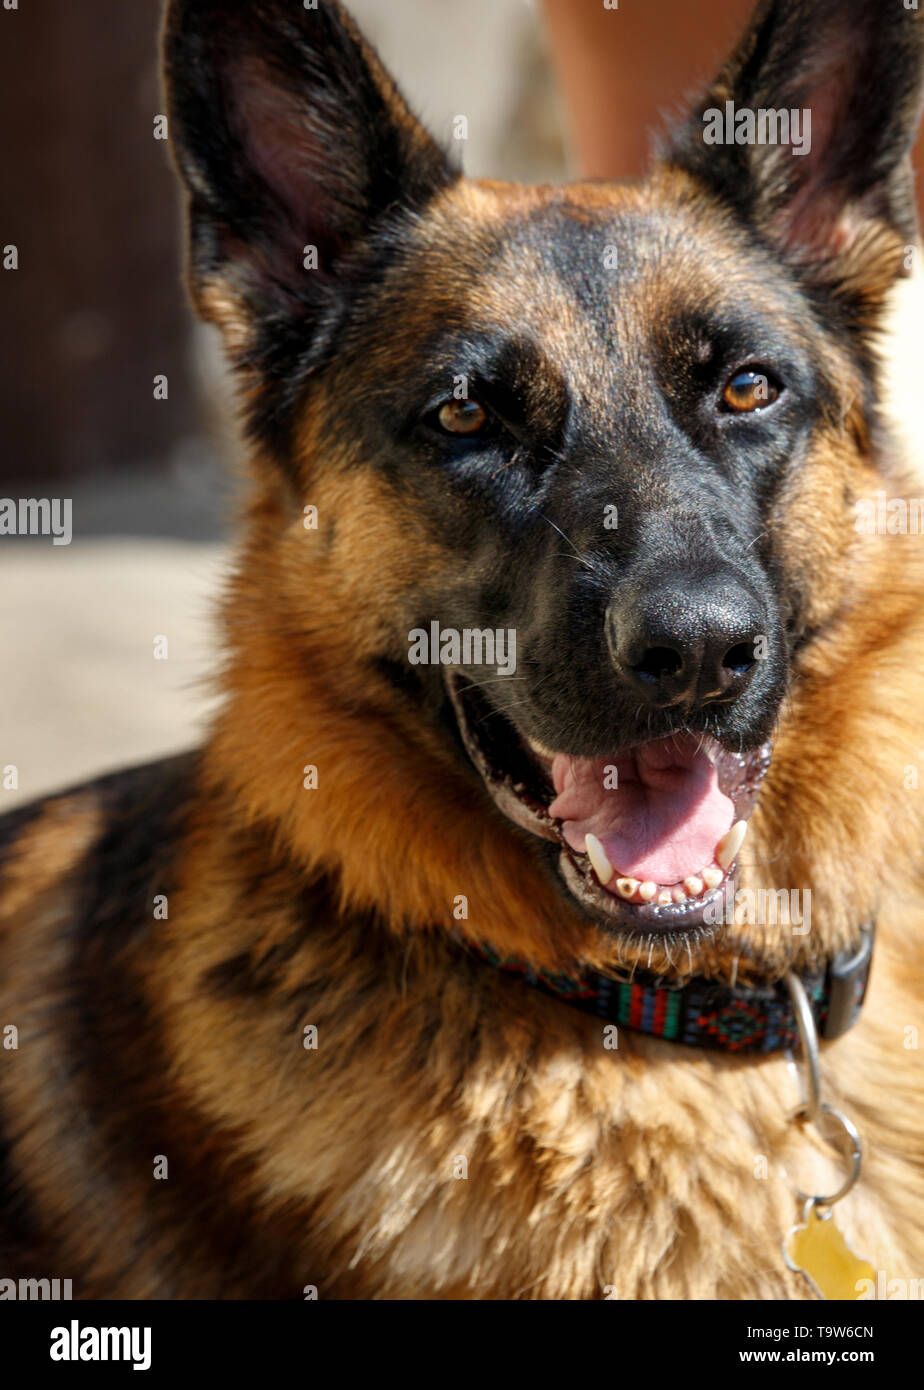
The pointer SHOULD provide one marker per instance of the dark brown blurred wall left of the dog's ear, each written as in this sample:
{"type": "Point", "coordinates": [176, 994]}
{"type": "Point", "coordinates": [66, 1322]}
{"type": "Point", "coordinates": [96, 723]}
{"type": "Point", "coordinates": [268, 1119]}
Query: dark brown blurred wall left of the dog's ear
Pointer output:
{"type": "Point", "coordinates": [95, 311]}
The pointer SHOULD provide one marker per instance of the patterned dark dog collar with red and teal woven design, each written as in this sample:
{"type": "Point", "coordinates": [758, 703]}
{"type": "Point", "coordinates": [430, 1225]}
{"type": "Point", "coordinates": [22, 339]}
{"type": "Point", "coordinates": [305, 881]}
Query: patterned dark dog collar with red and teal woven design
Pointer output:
{"type": "Point", "coordinates": [705, 1014]}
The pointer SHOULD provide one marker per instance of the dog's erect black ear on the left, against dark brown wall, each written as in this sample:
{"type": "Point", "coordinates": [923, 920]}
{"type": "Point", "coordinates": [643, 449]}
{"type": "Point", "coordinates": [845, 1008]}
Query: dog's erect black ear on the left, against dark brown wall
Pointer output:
{"type": "Point", "coordinates": [295, 147]}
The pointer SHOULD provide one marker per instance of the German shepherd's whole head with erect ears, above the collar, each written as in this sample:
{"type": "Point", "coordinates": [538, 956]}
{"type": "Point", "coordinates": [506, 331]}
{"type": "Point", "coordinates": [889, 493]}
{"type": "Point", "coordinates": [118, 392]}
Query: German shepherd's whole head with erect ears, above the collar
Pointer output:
{"type": "Point", "coordinates": [583, 464]}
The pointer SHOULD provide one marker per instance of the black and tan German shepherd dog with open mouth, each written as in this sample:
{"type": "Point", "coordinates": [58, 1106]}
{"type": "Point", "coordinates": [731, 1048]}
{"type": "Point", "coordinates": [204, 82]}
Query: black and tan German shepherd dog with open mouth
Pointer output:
{"type": "Point", "coordinates": [552, 584]}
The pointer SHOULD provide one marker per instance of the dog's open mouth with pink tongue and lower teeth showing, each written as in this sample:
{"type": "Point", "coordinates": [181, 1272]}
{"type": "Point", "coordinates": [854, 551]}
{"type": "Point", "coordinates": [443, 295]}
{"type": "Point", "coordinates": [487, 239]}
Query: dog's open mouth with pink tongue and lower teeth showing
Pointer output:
{"type": "Point", "coordinates": [650, 836]}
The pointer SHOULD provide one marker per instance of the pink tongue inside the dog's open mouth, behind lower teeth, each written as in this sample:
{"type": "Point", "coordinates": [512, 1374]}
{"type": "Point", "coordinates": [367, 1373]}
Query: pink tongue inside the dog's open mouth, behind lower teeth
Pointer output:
{"type": "Point", "coordinates": [661, 822]}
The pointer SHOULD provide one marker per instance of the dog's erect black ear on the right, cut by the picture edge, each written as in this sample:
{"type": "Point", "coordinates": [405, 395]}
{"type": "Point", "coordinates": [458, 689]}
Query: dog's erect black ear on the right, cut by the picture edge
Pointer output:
{"type": "Point", "coordinates": [839, 85]}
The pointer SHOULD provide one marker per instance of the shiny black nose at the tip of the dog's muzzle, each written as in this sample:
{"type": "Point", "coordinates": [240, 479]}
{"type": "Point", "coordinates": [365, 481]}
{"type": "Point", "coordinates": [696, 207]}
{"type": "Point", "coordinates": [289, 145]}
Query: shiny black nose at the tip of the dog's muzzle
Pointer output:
{"type": "Point", "coordinates": [688, 641]}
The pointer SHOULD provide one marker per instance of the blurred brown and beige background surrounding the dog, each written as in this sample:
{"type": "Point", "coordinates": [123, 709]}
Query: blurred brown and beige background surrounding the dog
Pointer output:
{"type": "Point", "coordinates": [97, 311]}
